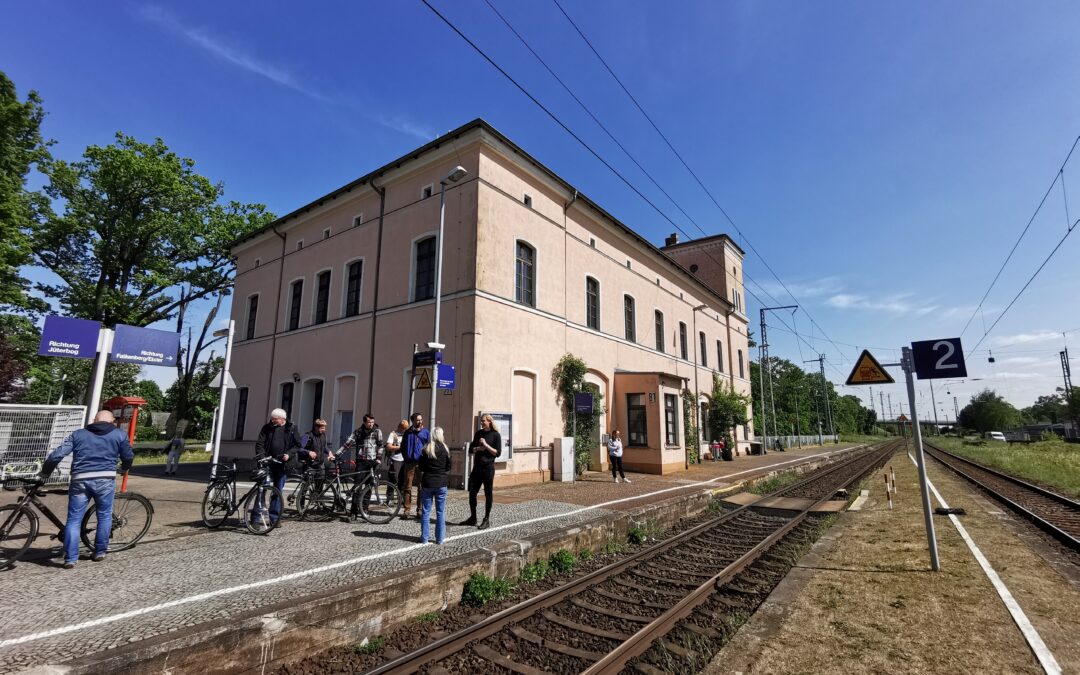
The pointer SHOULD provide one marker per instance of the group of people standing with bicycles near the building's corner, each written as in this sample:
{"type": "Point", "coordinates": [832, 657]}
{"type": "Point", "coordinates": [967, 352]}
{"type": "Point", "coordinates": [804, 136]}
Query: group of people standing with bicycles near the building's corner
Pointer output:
{"type": "Point", "coordinates": [412, 455]}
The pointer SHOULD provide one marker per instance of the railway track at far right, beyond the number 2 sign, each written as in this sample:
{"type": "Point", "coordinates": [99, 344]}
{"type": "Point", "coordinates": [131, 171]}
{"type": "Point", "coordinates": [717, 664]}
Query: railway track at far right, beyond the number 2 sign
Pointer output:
{"type": "Point", "coordinates": [1055, 514]}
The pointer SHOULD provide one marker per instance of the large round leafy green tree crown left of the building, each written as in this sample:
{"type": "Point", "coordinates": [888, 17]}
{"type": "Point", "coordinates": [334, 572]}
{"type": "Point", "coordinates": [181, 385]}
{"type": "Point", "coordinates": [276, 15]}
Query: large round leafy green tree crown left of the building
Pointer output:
{"type": "Point", "coordinates": [142, 235]}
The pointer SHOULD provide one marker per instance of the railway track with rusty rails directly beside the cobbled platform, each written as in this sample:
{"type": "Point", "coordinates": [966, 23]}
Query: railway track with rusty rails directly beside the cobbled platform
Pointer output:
{"type": "Point", "coordinates": [618, 618]}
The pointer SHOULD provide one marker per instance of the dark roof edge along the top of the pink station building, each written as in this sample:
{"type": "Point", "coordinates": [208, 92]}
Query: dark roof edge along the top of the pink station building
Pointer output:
{"type": "Point", "coordinates": [479, 124]}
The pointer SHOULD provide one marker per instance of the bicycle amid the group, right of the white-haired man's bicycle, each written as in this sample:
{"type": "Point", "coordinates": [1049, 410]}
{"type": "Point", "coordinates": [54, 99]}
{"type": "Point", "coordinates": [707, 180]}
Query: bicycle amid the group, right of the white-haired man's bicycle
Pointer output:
{"type": "Point", "coordinates": [374, 499]}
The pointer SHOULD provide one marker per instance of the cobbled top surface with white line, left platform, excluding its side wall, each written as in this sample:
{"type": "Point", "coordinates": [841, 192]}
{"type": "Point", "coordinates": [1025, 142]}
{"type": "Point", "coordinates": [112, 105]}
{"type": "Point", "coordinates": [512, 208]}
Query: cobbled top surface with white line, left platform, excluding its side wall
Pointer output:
{"type": "Point", "coordinates": [183, 575]}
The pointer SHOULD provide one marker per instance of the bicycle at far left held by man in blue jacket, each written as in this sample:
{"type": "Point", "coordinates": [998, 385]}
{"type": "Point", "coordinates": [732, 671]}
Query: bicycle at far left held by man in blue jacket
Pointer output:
{"type": "Point", "coordinates": [132, 516]}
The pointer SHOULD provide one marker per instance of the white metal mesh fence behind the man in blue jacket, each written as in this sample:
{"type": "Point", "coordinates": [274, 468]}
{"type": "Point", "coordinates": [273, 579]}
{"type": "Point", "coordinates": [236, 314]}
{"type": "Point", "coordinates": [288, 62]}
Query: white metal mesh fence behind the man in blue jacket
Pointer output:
{"type": "Point", "coordinates": [30, 433]}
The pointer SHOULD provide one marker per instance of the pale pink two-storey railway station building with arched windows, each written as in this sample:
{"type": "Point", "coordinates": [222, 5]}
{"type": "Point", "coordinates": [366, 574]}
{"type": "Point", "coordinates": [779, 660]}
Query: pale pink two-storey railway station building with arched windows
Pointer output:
{"type": "Point", "coordinates": [331, 300]}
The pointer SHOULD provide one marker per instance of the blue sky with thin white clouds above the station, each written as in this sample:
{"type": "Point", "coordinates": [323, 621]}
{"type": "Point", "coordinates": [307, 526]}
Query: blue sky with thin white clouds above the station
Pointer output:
{"type": "Point", "coordinates": [883, 158]}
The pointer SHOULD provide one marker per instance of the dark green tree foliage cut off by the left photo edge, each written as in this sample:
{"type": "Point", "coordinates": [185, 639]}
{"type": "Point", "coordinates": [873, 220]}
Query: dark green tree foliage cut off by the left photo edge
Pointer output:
{"type": "Point", "coordinates": [22, 147]}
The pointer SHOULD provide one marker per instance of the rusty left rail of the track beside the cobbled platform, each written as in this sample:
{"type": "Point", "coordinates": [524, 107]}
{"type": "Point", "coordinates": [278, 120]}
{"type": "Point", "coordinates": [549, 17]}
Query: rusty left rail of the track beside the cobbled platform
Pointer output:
{"type": "Point", "coordinates": [460, 641]}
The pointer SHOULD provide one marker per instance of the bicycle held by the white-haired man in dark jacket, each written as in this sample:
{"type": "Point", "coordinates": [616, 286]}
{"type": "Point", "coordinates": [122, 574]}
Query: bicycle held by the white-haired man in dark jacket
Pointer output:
{"type": "Point", "coordinates": [220, 502]}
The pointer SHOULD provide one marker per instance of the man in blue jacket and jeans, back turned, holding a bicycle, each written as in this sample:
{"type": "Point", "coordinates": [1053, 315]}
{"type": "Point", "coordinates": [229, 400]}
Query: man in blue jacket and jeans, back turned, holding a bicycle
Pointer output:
{"type": "Point", "coordinates": [96, 451]}
